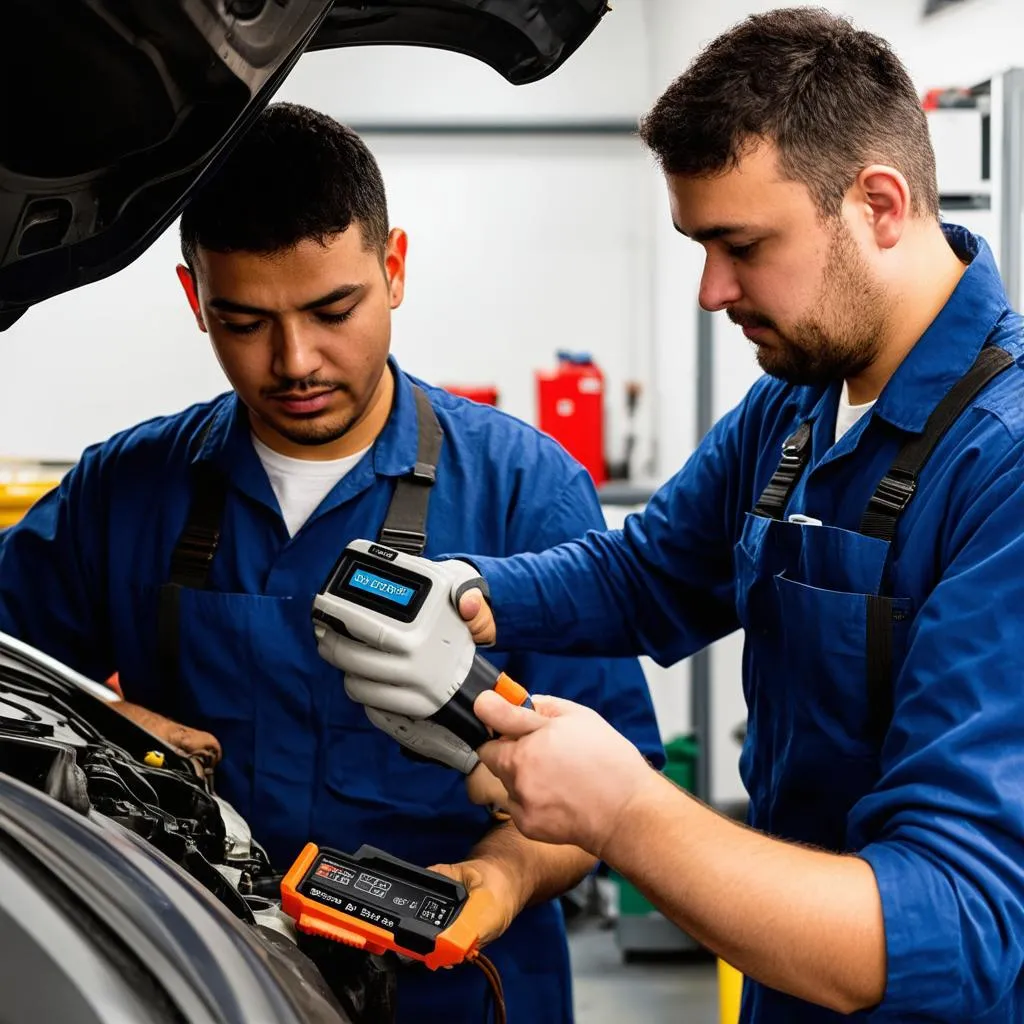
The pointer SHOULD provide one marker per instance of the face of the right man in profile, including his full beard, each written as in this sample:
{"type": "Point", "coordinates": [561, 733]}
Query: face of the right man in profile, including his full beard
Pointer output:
{"type": "Point", "coordinates": [800, 286]}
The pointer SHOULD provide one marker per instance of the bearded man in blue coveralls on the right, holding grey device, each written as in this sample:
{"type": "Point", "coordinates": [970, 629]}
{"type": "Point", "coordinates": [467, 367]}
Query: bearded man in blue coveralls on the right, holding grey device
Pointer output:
{"type": "Point", "coordinates": [884, 662]}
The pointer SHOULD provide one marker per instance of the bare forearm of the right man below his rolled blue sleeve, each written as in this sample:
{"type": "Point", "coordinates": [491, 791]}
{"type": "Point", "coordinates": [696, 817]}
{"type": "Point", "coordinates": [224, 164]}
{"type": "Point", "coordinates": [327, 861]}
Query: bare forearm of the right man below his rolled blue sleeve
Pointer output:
{"type": "Point", "coordinates": [798, 920]}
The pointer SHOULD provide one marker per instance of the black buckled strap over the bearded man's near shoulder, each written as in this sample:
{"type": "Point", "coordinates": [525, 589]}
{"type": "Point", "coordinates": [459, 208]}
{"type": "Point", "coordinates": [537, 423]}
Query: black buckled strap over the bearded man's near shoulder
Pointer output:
{"type": "Point", "coordinates": [899, 486]}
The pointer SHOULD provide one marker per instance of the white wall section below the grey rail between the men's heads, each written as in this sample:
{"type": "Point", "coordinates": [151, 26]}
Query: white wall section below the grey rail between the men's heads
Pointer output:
{"type": "Point", "coordinates": [522, 245]}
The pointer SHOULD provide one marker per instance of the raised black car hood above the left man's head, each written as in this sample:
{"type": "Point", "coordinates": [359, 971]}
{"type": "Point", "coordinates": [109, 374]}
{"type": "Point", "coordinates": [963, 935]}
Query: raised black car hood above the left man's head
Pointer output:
{"type": "Point", "coordinates": [115, 109]}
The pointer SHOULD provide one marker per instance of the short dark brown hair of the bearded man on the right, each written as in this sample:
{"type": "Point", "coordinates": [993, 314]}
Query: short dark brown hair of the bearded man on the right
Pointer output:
{"type": "Point", "coordinates": [832, 99]}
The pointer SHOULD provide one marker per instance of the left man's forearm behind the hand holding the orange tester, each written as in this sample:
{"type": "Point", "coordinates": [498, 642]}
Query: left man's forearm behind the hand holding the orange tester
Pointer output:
{"type": "Point", "coordinates": [536, 872]}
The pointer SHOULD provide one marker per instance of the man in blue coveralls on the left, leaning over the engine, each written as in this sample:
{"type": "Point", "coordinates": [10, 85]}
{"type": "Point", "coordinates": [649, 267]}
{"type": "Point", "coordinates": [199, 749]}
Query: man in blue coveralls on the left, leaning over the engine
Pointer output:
{"type": "Point", "coordinates": [293, 273]}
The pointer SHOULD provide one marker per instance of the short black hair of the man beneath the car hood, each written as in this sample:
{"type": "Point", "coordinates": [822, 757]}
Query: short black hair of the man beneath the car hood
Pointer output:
{"type": "Point", "coordinates": [296, 175]}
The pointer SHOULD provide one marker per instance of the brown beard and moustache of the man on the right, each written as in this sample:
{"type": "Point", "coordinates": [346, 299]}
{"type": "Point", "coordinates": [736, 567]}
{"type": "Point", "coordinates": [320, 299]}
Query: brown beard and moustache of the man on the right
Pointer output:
{"type": "Point", "coordinates": [842, 338]}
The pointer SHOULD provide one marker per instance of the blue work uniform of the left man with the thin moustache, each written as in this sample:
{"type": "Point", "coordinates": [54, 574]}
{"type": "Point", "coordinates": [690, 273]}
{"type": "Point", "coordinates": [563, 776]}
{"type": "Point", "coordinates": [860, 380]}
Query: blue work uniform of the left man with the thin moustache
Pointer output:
{"type": "Point", "coordinates": [81, 579]}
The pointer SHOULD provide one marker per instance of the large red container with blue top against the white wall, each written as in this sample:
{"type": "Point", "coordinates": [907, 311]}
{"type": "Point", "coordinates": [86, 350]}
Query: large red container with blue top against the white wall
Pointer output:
{"type": "Point", "coordinates": [571, 409]}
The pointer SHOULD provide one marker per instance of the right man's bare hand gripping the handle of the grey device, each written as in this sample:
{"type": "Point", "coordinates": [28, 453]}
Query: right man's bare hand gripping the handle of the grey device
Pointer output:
{"type": "Point", "coordinates": [570, 777]}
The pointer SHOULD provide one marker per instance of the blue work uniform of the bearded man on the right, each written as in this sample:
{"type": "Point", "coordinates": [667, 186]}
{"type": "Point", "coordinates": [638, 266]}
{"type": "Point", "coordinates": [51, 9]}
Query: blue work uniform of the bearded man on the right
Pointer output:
{"type": "Point", "coordinates": [924, 777]}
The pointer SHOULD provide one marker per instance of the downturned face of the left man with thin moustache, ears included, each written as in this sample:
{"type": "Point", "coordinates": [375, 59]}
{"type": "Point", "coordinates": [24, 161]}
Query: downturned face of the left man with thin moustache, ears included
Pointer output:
{"type": "Point", "coordinates": [303, 334]}
